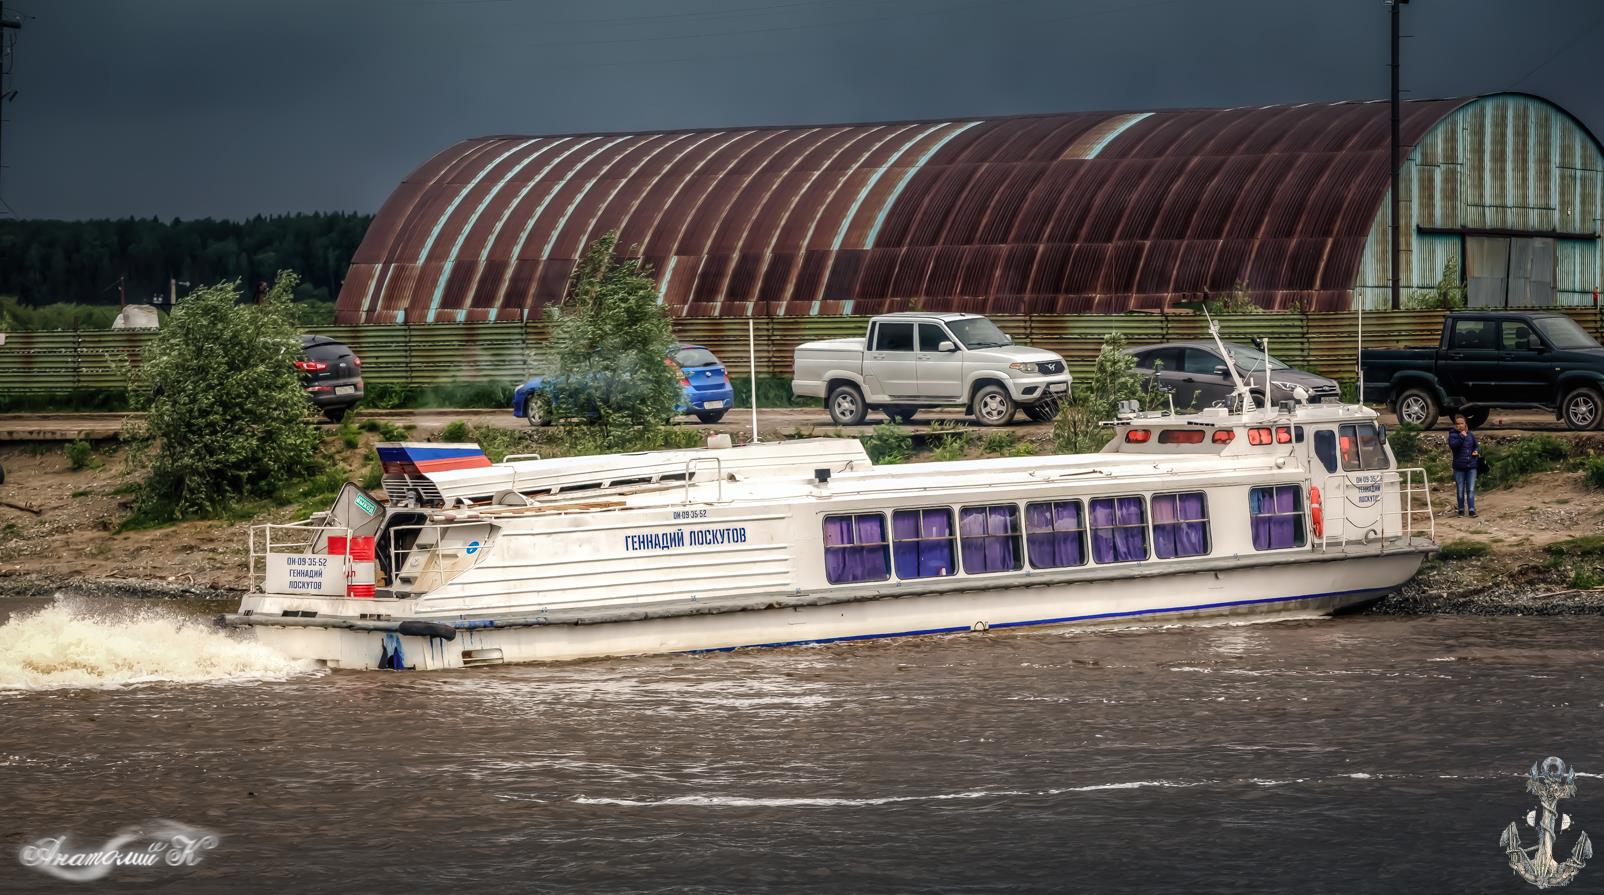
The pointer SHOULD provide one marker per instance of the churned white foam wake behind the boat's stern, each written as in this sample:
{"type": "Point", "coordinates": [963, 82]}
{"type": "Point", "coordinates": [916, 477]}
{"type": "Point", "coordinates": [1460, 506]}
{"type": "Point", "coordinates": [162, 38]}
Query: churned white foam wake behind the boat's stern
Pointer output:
{"type": "Point", "coordinates": [68, 647]}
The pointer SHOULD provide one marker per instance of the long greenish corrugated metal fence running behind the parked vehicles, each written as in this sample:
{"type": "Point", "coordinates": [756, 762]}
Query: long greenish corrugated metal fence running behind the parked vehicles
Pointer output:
{"type": "Point", "coordinates": [44, 363]}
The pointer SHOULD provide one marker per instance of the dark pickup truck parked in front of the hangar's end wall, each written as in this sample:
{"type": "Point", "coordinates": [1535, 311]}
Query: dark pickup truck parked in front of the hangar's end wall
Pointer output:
{"type": "Point", "coordinates": [1493, 360]}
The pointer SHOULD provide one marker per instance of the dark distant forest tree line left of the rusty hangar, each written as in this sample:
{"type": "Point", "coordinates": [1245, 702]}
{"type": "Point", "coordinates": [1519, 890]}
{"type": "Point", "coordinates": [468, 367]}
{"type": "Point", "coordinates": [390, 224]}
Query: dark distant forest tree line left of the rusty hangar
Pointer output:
{"type": "Point", "coordinates": [47, 262]}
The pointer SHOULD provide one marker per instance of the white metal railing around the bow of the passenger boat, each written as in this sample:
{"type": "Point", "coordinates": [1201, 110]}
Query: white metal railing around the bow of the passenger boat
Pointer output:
{"type": "Point", "coordinates": [1383, 506]}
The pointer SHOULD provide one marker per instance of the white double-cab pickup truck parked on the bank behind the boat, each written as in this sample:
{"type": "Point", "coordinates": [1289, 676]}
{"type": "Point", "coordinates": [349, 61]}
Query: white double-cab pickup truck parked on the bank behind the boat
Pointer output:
{"type": "Point", "coordinates": [917, 360]}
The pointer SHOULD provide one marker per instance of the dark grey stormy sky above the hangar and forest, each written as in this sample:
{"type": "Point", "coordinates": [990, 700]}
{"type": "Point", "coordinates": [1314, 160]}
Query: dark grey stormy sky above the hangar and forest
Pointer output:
{"type": "Point", "coordinates": [232, 108]}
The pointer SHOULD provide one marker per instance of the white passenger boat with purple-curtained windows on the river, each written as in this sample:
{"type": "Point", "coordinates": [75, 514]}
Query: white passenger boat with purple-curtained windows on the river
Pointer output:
{"type": "Point", "coordinates": [1286, 511]}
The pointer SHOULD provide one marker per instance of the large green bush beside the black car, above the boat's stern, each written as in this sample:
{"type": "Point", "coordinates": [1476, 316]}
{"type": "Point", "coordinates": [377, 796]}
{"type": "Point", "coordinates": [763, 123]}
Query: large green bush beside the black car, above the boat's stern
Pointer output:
{"type": "Point", "coordinates": [225, 411]}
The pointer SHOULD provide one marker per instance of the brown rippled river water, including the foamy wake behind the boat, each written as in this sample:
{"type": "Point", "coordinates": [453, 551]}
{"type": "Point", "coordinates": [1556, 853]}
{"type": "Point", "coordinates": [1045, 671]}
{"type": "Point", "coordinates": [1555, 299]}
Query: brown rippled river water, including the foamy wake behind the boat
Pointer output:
{"type": "Point", "coordinates": [1355, 755]}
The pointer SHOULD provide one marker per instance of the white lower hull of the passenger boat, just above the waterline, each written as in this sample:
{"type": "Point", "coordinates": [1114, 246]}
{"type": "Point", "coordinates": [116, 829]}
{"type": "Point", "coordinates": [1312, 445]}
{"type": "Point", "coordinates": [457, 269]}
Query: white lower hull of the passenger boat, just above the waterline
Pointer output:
{"type": "Point", "coordinates": [1292, 589]}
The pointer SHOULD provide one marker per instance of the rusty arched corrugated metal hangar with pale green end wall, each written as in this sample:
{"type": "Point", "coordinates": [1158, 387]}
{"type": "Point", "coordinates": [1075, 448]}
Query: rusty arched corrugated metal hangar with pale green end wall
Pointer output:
{"type": "Point", "coordinates": [1088, 213]}
